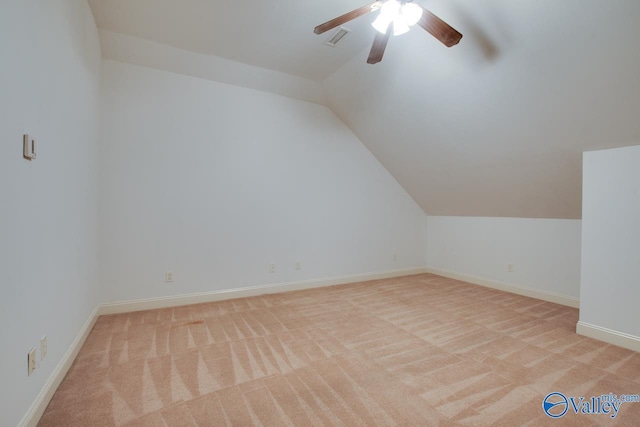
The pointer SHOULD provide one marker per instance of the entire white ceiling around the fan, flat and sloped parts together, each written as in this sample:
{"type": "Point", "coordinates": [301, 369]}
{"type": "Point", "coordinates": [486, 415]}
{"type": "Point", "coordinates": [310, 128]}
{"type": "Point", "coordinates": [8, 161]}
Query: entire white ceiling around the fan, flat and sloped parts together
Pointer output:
{"type": "Point", "coordinates": [492, 127]}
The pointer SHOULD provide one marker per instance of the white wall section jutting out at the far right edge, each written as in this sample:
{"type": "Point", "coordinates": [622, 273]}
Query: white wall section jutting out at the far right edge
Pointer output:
{"type": "Point", "coordinates": [610, 286]}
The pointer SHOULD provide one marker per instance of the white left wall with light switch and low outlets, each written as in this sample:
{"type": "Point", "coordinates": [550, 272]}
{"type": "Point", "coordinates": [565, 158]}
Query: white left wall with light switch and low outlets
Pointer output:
{"type": "Point", "coordinates": [49, 87]}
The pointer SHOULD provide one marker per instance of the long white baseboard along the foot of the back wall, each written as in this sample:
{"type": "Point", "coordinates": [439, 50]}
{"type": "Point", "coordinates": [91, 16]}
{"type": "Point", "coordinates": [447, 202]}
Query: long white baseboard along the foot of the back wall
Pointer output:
{"type": "Point", "coordinates": [197, 298]}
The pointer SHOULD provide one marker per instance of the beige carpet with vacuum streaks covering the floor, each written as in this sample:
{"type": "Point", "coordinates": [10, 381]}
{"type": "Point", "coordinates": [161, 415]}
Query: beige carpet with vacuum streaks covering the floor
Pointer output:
{"type": "Point", "coordinates": [415, 351]}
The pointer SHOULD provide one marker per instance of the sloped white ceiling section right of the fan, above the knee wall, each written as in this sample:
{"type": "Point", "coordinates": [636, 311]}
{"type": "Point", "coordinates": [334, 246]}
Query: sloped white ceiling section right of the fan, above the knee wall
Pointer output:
{"type": "Point", "coordinates": [496, 126]}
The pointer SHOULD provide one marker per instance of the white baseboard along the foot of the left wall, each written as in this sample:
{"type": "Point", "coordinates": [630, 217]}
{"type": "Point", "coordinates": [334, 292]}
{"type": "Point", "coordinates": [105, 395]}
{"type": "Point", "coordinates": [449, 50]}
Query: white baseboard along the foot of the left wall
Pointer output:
{"type": "Point", "coordinates": [38, 406]}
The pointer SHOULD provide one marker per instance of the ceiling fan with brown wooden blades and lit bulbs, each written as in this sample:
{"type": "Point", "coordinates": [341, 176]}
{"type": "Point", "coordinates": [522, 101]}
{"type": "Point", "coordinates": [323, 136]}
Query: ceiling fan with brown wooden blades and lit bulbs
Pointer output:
{"type": "Point", "coordinates": [396, 16]}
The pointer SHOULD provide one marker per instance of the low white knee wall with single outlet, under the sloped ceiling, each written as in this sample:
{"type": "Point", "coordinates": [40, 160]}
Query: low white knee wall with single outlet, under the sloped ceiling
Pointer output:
{"type": "Point", "coordinates": [544, 253]}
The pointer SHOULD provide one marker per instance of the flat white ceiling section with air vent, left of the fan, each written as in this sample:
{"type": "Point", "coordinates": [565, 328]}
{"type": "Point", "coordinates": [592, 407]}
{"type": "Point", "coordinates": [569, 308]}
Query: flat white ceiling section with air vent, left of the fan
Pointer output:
{"type": "Point", "coordinates": [273, 34]}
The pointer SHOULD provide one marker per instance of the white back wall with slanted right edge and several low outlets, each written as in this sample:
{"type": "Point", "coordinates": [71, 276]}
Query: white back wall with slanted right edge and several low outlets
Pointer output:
{"type": "Point", "coordinates": [215, 182]}
